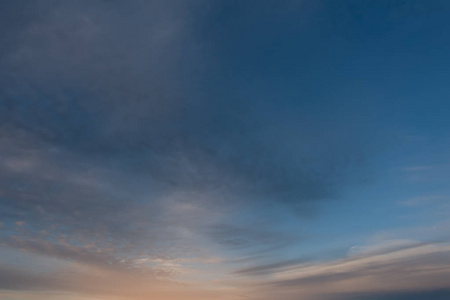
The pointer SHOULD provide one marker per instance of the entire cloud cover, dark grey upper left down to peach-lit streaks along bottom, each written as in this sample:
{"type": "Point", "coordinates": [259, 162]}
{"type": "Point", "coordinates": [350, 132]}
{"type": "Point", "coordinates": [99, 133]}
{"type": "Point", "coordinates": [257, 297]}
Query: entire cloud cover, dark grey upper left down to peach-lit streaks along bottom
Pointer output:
{"type": "Point", "coordinates": [137, 159]}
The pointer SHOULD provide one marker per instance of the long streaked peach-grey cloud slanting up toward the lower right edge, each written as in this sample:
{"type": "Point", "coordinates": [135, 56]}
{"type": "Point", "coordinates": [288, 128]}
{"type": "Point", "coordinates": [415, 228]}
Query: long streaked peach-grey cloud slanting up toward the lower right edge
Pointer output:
{"type": "Point", "coordinates": [391, 269]}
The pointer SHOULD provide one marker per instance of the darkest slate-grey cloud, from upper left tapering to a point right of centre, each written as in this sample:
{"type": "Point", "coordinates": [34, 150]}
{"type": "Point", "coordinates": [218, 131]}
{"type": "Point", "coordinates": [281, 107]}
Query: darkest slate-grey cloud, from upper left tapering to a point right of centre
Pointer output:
{"type": "Point", "coordinates": [132, 116]}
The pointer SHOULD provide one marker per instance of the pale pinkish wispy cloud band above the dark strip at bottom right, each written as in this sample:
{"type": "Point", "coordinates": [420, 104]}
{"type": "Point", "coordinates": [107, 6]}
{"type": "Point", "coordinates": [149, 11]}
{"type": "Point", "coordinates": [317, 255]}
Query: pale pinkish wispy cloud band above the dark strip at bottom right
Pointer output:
{"type": "Point", "coordinates": [423, 267]}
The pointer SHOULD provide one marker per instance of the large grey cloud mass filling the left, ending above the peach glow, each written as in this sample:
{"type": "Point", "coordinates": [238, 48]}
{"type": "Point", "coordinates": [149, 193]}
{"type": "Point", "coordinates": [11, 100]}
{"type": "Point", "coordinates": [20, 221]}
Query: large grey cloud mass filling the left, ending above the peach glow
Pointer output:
{"type": "Point", "coordinates": [103, 118]}
